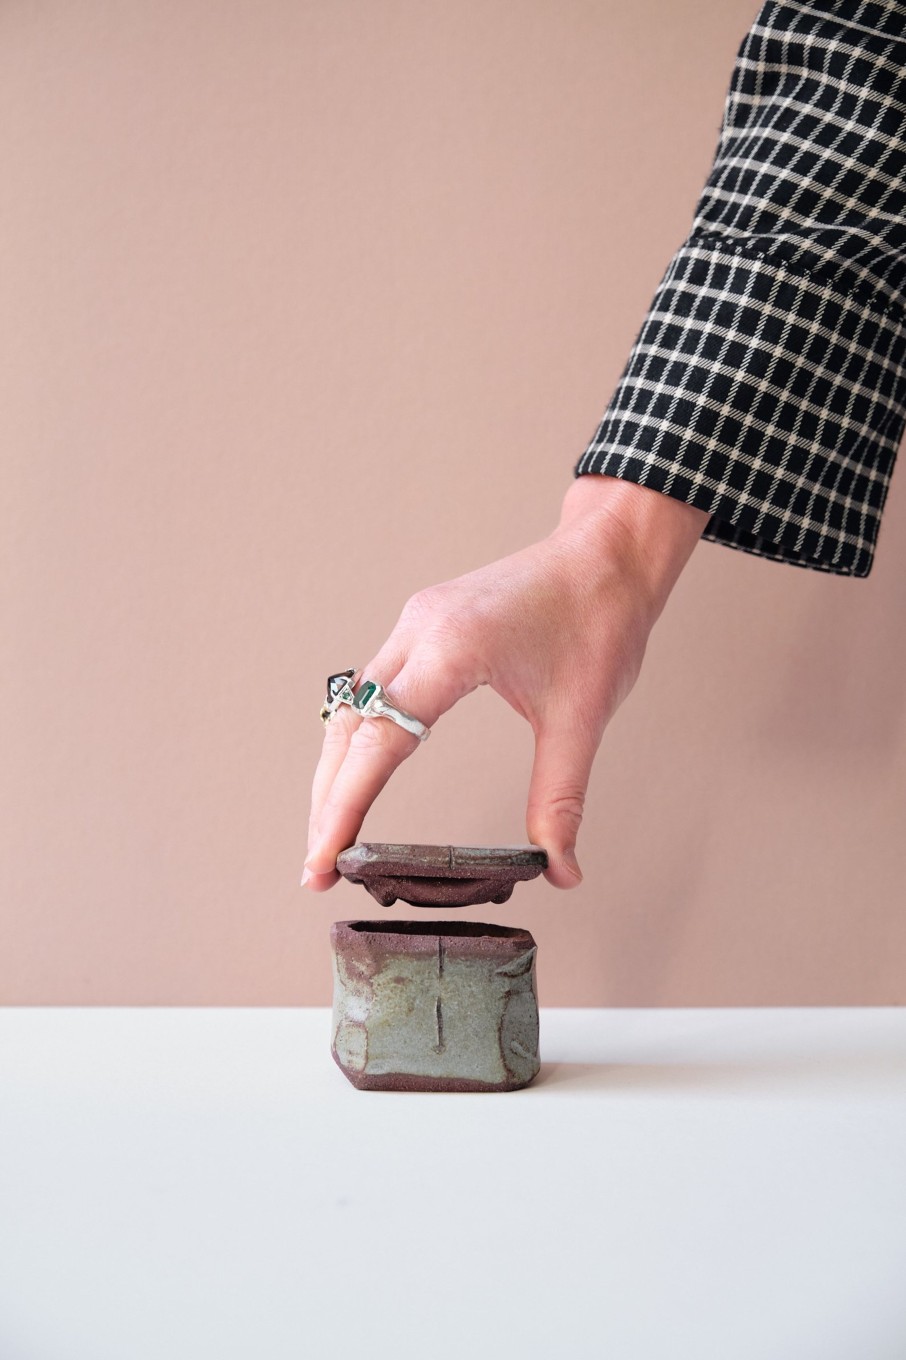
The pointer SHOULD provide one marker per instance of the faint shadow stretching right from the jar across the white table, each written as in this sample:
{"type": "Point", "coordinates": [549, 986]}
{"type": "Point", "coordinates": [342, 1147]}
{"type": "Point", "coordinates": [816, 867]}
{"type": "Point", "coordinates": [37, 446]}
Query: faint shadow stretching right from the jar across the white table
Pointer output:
{"type": "Point", "coordinates": [879, 1072]}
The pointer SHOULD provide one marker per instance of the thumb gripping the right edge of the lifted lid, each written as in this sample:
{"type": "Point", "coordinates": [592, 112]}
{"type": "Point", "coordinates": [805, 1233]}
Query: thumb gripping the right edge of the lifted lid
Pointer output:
{"type": "Point", "coordinates": [564, 755]}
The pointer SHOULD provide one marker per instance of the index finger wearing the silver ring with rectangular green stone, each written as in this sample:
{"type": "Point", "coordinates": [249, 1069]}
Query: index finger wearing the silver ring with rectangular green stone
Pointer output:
{"type": "Point", "coordinates": [375, 750]}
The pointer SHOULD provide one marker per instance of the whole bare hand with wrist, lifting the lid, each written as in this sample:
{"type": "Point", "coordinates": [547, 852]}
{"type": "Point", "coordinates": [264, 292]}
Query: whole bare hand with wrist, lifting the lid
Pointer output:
{"type": "Point", "coordinates": [558, 629]}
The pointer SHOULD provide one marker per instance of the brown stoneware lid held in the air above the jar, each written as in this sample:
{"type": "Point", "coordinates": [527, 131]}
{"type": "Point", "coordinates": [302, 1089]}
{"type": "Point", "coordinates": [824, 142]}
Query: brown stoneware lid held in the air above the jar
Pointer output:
{"type": "Point", "coordinates": [440, 877]}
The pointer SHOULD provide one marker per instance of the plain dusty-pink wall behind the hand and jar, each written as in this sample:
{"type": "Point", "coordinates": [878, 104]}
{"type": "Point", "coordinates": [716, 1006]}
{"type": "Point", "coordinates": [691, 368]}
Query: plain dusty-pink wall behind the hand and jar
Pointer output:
{"type": "Point", "coordinates": [308, 305]}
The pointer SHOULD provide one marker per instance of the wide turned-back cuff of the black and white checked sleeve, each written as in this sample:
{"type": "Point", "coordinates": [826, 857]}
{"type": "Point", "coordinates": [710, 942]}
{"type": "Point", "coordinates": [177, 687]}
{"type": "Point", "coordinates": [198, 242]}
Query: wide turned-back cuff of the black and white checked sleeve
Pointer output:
{"type": "Point", "coordinates": [771, 396]}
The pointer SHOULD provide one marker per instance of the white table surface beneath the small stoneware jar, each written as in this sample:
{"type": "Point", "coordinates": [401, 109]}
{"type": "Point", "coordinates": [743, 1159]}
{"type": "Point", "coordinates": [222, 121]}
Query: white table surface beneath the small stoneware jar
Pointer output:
{"type": "Point", "coordinates": [677, 1184]}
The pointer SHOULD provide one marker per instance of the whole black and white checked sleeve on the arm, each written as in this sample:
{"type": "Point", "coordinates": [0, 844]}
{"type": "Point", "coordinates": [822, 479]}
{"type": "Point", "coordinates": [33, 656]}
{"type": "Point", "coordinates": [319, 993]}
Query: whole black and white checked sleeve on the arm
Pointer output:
{"type": "Point", "coordinates": [768, 384]}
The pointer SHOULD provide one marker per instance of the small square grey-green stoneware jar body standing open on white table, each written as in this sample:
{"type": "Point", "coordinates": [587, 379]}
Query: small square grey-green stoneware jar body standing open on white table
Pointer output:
{"type": "Point", "coordinates": [435, 1006]}
